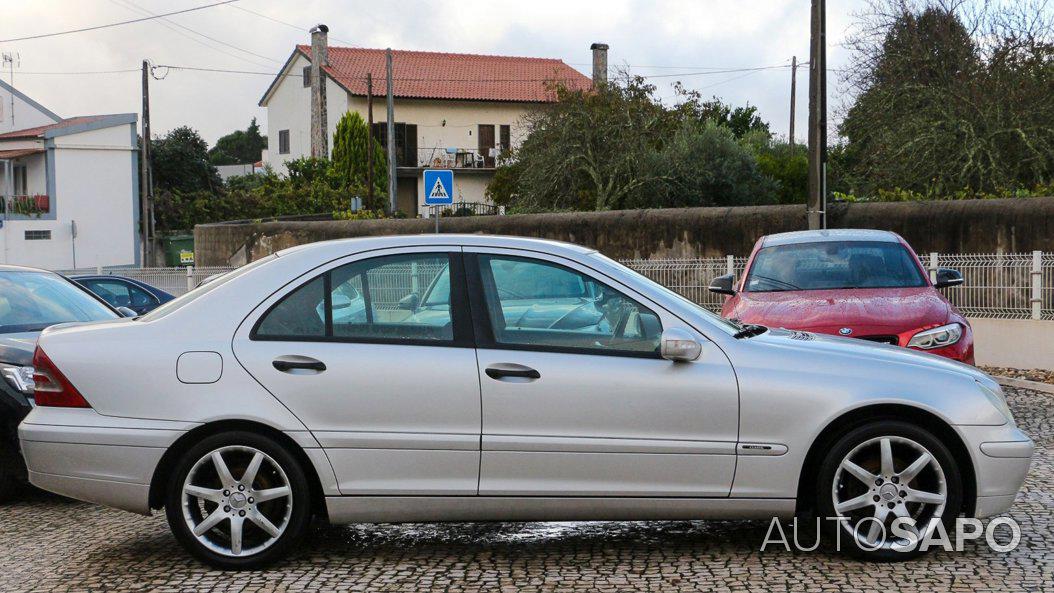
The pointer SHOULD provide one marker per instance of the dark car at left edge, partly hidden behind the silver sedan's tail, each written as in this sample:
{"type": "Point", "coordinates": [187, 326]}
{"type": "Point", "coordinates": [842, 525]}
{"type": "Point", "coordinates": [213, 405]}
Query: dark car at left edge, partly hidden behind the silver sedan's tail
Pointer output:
{"type": "Point", "coordinates": [31, 301]}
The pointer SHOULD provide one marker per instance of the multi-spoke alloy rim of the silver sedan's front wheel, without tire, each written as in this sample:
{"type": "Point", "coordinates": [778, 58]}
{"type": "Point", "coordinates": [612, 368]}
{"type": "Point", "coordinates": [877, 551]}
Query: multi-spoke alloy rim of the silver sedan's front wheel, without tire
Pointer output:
{"type": "Point", "coordinates": [886, 479]}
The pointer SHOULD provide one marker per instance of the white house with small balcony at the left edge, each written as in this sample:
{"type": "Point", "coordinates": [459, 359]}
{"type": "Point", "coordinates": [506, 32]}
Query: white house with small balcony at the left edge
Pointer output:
{"type": "Point", "coordinates": [70, 188]}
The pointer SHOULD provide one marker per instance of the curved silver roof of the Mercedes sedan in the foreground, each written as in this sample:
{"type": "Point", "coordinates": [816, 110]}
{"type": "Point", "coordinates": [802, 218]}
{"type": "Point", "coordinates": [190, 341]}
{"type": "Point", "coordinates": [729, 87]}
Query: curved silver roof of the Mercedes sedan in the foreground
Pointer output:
{"type": "Point", "coordinates": [338, 248]}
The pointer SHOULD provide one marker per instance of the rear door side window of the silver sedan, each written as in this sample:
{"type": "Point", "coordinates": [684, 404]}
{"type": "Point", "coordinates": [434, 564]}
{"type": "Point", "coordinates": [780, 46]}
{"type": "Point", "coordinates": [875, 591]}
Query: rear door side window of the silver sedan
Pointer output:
{"type": "Point", "coordinates": [397, 299]}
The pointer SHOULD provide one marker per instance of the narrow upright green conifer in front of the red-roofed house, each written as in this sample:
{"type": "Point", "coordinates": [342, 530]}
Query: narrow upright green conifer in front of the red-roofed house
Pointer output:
{"type": "Point", "coordinates": [350, 164]}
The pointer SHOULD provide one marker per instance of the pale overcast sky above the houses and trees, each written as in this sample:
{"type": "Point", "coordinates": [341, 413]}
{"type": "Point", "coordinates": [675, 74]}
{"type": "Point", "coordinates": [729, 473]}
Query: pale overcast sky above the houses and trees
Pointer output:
{"type": "Point", "coordinates": [662, 38]}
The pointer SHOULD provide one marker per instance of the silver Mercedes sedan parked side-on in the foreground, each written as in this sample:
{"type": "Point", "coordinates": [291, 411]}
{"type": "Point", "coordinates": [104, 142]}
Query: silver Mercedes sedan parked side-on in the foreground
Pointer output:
{"type": "Point", "coordinates": [453, 379]}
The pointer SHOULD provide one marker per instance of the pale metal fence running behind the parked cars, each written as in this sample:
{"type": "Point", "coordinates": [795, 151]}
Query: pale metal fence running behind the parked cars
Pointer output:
{"type": "Point", "coordinates": [1010, 286]}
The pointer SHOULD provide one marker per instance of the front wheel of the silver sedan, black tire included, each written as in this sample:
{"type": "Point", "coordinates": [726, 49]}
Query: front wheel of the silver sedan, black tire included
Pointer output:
{"type": "Point", "coordinates": [856, 482]}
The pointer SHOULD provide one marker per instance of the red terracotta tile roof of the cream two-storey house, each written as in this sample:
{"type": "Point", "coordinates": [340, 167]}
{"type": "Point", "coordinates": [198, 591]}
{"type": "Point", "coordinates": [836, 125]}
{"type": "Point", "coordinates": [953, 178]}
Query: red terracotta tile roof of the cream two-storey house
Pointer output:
{"type": "Point", "coordinates": [433, 75]}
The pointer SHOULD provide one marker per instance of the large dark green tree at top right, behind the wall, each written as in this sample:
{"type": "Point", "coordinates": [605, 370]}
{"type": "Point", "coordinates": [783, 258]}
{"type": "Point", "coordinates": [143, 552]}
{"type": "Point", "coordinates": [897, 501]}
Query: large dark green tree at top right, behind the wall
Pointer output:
{"type": "Point", "coordinates": [951, 96]}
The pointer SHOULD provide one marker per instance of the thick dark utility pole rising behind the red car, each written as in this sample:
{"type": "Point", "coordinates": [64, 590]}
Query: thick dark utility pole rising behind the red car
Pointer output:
{"type": "Point", "coordinates": [817, 205]}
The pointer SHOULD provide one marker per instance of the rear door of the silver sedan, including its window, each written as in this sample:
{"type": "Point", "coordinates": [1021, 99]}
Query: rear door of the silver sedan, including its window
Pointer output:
{"type": "Point", "coordinates": [388, 388]}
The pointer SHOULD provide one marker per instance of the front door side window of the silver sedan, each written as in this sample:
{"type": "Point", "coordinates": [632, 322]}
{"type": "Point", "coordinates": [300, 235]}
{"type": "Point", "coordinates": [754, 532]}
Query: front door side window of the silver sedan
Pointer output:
{"type": "Point", "coordinates": [541, 306]}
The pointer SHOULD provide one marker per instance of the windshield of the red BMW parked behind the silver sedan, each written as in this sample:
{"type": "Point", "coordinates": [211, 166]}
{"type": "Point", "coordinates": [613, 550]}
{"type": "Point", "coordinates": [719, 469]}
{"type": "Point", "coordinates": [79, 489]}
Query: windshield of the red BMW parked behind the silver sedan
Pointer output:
{"type": "Point", "coordinates": [834, 266]}
